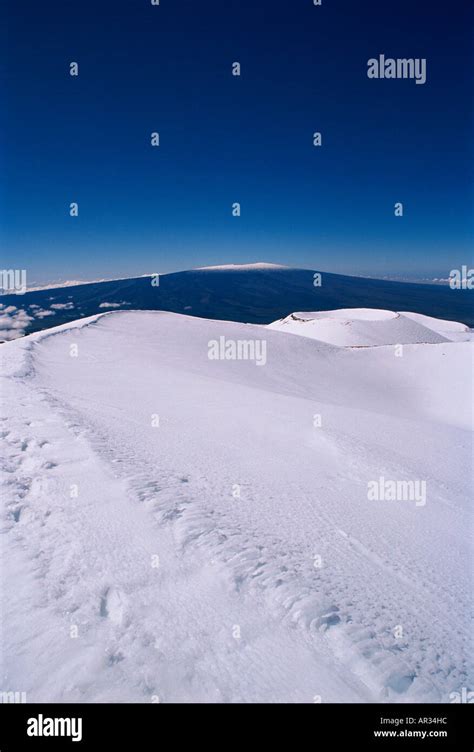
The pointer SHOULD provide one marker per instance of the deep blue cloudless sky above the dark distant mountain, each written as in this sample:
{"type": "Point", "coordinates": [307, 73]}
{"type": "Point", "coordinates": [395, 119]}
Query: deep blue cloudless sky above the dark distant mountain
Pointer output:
{"type": "Point", "coordinates": [226, 139]}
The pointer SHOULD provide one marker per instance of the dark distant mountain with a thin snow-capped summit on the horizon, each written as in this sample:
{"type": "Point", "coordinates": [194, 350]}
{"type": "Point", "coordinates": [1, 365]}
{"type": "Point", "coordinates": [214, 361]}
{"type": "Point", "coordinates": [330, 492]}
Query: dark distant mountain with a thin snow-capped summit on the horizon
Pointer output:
{"type": "Point", "coordinates": [252, 293]}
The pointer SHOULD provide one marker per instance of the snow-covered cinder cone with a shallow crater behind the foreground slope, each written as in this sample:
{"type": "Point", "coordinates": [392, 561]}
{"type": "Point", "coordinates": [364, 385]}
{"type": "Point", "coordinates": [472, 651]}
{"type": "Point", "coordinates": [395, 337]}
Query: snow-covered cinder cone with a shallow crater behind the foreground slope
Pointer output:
{"type": "Point", "coordinates": [362, 327]}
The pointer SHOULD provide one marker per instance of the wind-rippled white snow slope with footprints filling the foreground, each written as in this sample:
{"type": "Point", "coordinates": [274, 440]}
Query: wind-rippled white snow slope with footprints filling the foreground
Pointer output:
{"type": "Point", "coordinates": [177, 528]}
